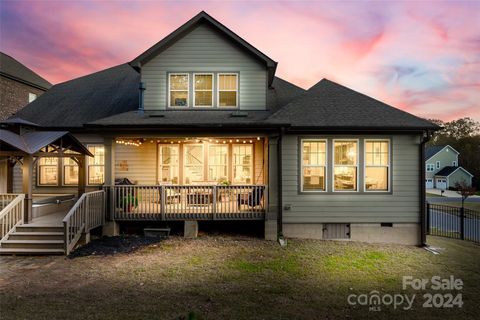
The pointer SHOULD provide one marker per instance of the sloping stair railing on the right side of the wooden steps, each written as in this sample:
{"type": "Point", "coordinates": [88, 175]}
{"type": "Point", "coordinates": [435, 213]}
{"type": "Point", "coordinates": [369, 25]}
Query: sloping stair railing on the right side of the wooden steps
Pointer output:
{"type": "Point", "coordinates": [87, 213]}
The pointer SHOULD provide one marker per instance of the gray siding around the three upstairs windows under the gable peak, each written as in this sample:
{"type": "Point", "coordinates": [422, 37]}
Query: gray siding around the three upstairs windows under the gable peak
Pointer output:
{"type": "Point", "coordinates": [205, 50]}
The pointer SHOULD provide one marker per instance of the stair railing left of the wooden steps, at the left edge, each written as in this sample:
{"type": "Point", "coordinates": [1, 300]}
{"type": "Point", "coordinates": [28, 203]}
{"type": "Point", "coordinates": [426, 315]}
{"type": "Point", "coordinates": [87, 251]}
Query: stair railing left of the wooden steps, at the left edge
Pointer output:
{"type": "Point", "coordinates": [11, 214]}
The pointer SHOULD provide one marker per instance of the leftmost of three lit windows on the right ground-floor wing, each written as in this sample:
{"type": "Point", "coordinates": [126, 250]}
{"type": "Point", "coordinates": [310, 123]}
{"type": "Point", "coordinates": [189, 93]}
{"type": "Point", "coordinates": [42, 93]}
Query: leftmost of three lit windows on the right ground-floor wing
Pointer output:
{"type": "Point", "coordinates": [314, 162]}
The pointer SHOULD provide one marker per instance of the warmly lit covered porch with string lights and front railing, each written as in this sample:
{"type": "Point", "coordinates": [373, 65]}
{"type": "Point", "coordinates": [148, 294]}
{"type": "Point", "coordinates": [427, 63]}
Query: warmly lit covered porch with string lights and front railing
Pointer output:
{"type": "Point", "coordinates": [188, 178]}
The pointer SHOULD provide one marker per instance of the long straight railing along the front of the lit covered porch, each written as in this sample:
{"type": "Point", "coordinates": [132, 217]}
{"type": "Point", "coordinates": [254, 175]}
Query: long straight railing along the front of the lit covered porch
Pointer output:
{"type": "Point", "coordinates": [176, 202]}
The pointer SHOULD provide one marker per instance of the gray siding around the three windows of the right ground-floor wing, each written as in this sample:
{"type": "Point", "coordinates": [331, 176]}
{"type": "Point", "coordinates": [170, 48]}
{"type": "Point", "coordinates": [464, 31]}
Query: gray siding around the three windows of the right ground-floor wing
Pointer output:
{"type": "Point", "coordinates": [400, 205]}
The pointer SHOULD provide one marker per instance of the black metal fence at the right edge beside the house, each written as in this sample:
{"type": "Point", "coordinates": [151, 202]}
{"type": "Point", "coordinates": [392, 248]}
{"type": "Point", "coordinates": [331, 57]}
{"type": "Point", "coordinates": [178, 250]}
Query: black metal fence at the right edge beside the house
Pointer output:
{"type": "Point", "coordinates": [453, 222]}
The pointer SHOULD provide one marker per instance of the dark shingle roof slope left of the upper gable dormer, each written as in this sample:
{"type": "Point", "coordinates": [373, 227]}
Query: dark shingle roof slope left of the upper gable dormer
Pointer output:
{"type": "Point", "coordinates": [89, 98]}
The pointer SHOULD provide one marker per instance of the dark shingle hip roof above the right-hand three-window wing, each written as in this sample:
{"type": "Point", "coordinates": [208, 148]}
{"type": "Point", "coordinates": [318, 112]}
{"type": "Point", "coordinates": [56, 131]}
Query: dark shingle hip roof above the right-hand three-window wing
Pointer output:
{"type": "Point", "coordinates": [328, 105]}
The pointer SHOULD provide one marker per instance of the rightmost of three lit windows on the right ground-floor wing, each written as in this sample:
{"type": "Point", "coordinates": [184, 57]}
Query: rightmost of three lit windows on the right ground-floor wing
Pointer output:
{"type": "Point", "coordinates": [377, 163]}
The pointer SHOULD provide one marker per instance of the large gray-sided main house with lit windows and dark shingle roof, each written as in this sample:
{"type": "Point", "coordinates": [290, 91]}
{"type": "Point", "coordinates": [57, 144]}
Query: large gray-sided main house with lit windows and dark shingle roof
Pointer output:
{"type": "Point", "coordinates": [206, 131]}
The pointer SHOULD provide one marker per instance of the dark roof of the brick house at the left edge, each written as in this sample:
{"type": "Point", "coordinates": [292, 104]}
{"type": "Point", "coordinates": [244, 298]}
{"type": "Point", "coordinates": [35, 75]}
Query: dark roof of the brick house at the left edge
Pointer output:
{"type": "Point", "coordinates": [12, 68]}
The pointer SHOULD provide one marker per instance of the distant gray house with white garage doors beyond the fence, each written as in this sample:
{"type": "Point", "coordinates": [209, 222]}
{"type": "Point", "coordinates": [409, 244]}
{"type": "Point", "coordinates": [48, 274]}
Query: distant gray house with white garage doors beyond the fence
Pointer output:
{"type": "Point", "coordinates": [442, 170]}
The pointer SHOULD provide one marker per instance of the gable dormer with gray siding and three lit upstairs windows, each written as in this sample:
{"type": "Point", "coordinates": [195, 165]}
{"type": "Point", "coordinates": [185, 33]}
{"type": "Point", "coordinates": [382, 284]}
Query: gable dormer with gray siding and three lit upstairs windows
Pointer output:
{"type": "Point", "coordinates": [204, 65]}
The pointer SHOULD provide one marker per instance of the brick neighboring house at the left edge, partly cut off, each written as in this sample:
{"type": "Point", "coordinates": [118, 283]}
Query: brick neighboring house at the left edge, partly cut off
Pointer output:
{"type": "Point", "coordinates": [18, 86]}
